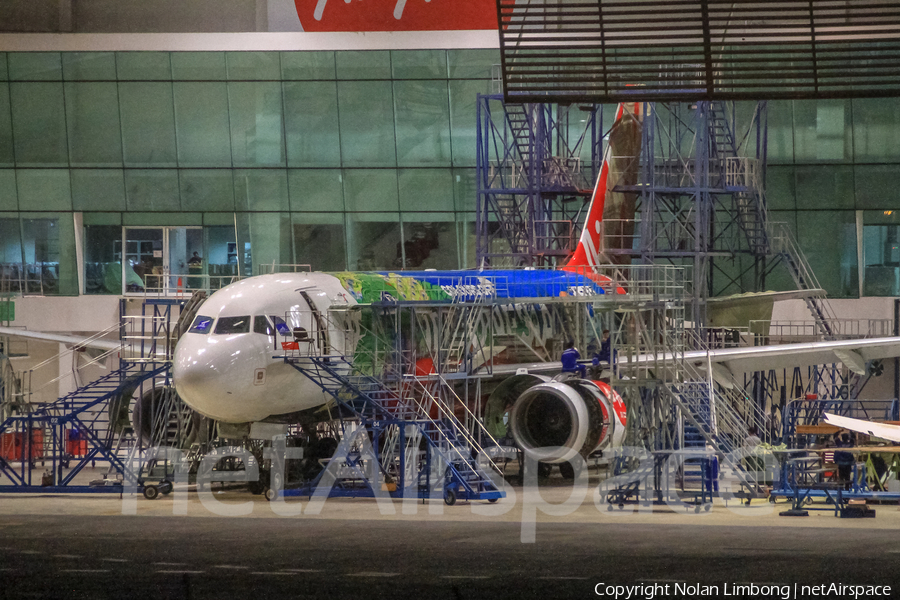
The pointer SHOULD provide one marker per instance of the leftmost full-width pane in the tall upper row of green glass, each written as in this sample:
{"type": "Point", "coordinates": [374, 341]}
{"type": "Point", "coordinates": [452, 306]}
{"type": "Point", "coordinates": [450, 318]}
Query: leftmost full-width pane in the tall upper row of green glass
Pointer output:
{"type": "Point", "coordinates": [39, 128]}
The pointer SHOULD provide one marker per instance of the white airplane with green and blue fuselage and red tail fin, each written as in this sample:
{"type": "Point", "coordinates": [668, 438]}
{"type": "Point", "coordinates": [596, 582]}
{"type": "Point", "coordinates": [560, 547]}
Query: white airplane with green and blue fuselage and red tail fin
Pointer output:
{"type": "Point", "coordinates": [228, 365]}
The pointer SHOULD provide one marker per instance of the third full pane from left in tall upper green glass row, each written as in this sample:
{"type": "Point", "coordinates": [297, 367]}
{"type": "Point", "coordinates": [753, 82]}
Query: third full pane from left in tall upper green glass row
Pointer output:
{"type": "Point", "coordinates": [148, 124]}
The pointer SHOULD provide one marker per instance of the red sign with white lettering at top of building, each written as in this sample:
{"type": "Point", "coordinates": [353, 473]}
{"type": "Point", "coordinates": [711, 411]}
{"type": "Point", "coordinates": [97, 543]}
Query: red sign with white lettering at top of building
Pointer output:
{"type": "Point", "coordinates": [396, 15]}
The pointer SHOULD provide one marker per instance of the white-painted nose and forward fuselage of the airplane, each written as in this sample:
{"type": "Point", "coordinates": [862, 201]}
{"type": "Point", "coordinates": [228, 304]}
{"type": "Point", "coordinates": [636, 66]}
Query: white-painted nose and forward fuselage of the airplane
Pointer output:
{"type": "Point", "coordinates": [218, 375]}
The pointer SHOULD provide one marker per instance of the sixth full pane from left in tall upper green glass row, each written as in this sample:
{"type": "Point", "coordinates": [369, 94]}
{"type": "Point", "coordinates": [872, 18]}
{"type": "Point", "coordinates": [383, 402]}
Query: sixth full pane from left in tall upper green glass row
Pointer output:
{"type": "Point", "coordinates": [311, 124]}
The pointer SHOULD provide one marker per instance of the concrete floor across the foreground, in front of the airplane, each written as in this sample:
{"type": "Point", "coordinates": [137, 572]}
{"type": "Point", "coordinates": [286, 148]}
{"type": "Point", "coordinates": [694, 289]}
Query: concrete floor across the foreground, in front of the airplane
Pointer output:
{"type": "Point", "coordinates": [228, 543]}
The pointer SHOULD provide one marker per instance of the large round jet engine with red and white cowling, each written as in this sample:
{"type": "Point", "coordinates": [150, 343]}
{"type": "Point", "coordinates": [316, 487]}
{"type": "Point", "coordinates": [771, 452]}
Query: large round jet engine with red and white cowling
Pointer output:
{"type": "Point", "coordinates": [552, 421]}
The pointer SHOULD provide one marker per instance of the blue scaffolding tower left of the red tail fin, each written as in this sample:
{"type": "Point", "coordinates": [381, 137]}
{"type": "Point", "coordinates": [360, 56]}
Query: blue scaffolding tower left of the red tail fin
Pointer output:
{"type": "Point", "coordinates": [536, 167]}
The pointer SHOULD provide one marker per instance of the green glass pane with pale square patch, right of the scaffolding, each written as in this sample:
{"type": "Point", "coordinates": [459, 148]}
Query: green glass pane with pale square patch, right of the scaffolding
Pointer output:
{"type": "Point", "coordinates": [822, 130]}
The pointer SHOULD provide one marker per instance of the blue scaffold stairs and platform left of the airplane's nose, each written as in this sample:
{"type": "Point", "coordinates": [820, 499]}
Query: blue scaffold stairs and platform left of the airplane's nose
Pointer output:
{"type": "Point", "coordinates": [81, 428]}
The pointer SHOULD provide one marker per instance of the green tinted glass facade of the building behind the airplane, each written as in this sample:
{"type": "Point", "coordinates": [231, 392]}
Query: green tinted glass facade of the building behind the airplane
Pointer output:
{"type": "Point", "coordinates": [339, 160]}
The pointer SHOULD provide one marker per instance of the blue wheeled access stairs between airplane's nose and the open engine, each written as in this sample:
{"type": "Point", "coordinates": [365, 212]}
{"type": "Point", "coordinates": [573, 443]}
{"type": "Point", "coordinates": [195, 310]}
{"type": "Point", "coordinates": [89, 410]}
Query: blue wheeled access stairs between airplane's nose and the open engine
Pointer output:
{"type": "Point", "coordinates": [423, 450]}
